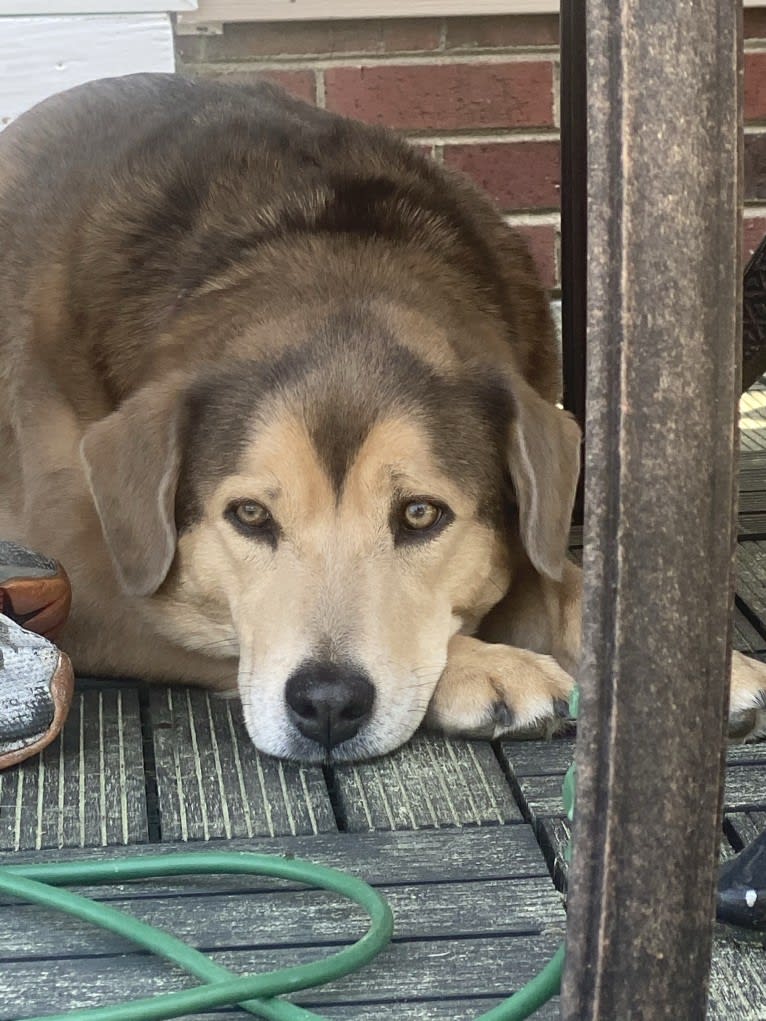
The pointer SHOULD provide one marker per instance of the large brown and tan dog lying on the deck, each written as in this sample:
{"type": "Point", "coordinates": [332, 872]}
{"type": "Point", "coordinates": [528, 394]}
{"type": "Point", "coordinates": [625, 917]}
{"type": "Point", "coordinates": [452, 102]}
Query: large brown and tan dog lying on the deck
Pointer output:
{"type": "Point", "coordinates": [281, 395]}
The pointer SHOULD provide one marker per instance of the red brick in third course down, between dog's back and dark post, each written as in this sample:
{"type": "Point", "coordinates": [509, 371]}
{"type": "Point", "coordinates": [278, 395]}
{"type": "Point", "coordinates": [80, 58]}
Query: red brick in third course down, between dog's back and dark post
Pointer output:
{"type": "Point", "coordinates": [517, 175]}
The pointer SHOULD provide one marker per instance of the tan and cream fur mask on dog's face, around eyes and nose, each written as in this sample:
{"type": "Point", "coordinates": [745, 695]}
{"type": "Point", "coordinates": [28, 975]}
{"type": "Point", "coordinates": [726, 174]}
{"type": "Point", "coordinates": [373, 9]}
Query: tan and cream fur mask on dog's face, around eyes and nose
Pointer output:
{"type": "Point", "coordinates": [336, 584]}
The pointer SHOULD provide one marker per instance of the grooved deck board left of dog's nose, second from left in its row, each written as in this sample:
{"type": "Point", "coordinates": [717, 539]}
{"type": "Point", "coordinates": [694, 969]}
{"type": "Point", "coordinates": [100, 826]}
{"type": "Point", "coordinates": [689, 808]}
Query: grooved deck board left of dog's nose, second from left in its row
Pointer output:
{"type": "Point", "coordinates": [213, 784]}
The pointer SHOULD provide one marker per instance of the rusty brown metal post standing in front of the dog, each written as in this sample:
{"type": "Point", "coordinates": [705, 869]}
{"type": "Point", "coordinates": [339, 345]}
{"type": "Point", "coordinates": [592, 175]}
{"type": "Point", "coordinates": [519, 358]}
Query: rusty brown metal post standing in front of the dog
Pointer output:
{"type": "Point", "coordinates": [663, 305]}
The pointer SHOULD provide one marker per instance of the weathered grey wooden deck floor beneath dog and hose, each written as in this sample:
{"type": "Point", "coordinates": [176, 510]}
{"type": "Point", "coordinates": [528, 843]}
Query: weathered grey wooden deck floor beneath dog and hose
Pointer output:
{"type": "Point", "coordinates": [463, 838]}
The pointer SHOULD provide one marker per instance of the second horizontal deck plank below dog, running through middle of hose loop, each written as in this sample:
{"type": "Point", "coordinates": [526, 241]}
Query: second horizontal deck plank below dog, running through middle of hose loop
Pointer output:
{"type": "Point", "coordinates": [277, 918]}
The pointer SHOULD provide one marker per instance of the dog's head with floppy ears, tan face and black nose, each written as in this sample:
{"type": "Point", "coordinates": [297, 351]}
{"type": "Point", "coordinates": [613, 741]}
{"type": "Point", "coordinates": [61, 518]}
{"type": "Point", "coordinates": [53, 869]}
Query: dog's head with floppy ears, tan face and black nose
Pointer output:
{"type": "Point", "coordinates": [332, 519]}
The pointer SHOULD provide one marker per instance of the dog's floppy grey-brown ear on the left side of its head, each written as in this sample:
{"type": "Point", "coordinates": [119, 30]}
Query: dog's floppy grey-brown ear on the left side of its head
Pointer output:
{"type": "Point", "coordinates": [132, 460]}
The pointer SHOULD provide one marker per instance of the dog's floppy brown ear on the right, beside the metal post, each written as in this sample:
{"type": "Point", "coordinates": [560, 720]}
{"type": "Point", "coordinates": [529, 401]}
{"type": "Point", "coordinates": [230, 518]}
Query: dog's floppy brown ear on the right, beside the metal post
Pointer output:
{"type": "Point", "coordinates": [545, 464]}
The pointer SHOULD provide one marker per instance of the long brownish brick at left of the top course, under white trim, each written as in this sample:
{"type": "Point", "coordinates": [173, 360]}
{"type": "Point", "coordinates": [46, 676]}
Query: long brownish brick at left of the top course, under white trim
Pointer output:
{"type": "Point", "coordinates": [253, 41]}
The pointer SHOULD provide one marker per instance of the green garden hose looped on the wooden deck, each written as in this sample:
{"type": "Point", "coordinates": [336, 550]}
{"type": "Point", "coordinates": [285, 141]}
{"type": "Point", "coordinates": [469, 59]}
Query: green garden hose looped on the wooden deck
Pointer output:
{"type": "Point", "coordinates": [258, 994]}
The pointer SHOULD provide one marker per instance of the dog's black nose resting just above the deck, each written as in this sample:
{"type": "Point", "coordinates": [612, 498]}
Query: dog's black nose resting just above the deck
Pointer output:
{"type": "Point", "coordinates": [329, 702]}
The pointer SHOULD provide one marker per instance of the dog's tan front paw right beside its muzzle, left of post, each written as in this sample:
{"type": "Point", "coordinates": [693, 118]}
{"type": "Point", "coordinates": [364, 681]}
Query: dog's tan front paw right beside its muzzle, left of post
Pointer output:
{"type": "Point", "coordinates": [492, 691]}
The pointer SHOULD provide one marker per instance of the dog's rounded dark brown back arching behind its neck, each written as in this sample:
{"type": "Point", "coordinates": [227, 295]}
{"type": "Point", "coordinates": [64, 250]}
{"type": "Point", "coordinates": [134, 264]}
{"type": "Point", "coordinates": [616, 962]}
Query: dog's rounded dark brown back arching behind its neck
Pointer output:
{"type": "Point", "coordinates": [122, 201]}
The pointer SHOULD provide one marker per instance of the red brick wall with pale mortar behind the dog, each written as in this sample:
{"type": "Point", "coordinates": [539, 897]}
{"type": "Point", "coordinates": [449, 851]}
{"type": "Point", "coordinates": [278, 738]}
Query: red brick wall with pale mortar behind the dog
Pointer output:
{"type": "Point", "coordinates": [478, 93]}
